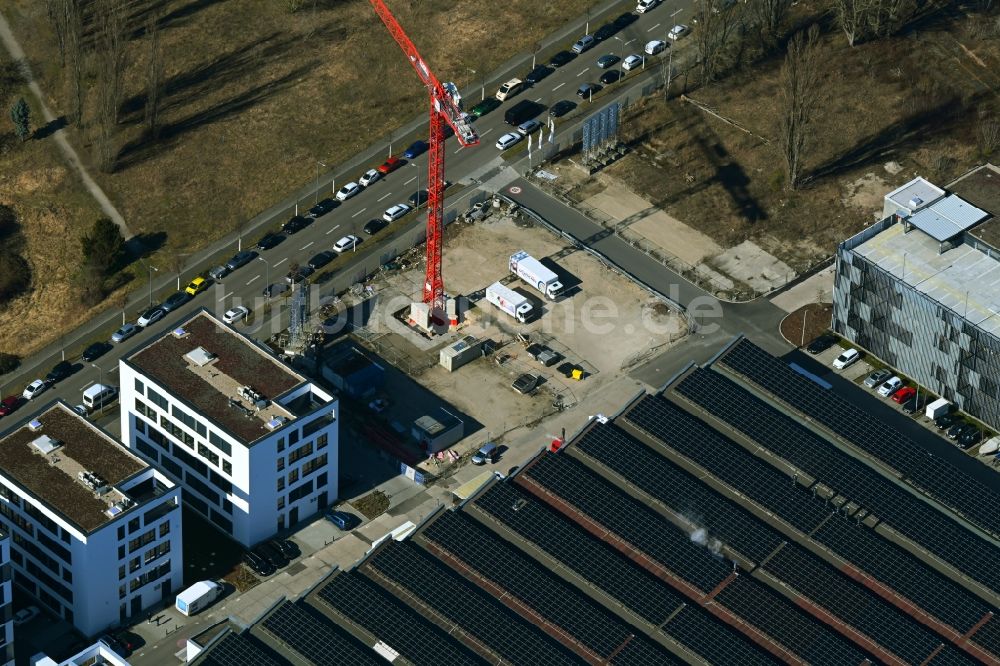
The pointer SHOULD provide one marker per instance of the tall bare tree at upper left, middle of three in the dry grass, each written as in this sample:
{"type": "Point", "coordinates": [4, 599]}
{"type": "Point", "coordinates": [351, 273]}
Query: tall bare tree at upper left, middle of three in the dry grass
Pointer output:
{"type": "Point", "coordinates": [111, 36]}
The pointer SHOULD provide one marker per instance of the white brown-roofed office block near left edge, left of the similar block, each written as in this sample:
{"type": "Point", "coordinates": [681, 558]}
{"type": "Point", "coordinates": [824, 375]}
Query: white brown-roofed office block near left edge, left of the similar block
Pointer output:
{"type": "Point", "coordinates": [95, 532]}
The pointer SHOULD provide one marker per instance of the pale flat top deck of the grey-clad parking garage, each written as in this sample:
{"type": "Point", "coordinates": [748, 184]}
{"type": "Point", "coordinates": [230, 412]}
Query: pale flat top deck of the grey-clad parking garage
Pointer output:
{"type": "Point", "coordinates": [962, 278]}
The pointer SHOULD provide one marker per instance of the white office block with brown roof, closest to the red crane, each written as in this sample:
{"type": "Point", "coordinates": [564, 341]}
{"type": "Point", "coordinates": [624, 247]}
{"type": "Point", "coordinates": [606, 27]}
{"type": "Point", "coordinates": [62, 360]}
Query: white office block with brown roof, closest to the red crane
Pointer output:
{"type": "Point", "coordinates": [253, 443]}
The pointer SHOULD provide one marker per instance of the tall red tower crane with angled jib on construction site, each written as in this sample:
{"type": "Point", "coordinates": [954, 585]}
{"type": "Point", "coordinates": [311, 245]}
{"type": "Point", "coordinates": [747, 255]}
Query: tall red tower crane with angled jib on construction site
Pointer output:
{"type": "Point", "coordinates": [445, 107]}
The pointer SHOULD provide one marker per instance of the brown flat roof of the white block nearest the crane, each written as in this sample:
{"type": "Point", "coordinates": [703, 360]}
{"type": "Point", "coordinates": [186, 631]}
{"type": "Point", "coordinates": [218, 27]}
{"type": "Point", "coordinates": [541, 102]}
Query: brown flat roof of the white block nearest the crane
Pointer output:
{"type": "Point", "coordinates": [207, 364]}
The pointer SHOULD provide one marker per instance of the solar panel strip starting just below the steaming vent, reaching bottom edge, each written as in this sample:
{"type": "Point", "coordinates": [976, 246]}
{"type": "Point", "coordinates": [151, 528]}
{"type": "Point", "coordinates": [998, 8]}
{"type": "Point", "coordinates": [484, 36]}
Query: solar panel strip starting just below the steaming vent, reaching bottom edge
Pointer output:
{"type": "Point", "coordinates": [772, 613]}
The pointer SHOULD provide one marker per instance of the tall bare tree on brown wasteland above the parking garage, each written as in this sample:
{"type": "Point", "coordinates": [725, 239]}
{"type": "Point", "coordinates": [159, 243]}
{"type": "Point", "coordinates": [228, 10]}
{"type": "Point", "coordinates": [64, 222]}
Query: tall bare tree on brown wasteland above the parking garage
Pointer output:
{"type": "Point", "coordinates": [798, 94]}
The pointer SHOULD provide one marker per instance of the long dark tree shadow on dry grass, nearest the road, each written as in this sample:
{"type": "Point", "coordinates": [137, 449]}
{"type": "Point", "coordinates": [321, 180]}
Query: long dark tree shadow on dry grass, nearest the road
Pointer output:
{"type": "Point", "coordinates": [145, 147]}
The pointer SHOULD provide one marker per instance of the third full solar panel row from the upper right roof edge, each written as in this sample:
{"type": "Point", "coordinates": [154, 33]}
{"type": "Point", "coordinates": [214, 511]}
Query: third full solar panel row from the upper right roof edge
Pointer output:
{"type": "Point", "coordinates": [882, 559]}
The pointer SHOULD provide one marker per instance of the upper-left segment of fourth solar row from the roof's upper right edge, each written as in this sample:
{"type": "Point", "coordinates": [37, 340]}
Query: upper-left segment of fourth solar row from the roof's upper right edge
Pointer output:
{"type": "Point", "coordinates": [661, 479]}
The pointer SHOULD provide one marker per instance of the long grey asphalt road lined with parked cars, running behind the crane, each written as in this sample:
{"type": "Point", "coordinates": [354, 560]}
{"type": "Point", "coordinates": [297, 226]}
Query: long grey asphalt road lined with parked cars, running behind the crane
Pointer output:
{"type": "Point", "coordinates": [245, 286]}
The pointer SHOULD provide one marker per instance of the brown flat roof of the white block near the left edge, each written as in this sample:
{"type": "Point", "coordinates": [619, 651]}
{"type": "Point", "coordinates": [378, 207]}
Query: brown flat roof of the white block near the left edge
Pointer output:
{"type": "Point", "coordinates": [77, 446]}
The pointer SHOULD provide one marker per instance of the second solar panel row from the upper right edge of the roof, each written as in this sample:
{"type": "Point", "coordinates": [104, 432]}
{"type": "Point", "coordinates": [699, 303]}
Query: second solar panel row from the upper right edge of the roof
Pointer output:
{"type": "Point", "coordinates": [772, 429]}
